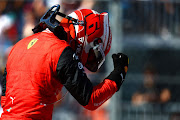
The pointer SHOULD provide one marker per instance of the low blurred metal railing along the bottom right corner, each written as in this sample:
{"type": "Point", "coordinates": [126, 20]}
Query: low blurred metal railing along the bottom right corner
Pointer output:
{"type": "Point", "coordinates": [149, 112]}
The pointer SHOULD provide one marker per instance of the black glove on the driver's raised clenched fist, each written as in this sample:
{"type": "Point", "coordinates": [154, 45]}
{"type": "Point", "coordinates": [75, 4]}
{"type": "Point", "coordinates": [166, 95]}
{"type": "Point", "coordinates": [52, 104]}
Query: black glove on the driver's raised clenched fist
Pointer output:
{"type": "Point", "coordinates": [120, 62]}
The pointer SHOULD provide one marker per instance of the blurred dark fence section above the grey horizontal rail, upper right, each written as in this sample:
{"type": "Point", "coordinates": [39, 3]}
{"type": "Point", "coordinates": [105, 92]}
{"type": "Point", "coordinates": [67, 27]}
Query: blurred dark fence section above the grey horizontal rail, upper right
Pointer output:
{"type": "Point", "coordinates": [151, 16]}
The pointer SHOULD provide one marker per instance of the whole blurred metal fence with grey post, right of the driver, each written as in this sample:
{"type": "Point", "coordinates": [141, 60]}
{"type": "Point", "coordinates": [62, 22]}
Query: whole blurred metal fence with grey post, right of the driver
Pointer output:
{"type": "Point", "coordinates": [148, 31]}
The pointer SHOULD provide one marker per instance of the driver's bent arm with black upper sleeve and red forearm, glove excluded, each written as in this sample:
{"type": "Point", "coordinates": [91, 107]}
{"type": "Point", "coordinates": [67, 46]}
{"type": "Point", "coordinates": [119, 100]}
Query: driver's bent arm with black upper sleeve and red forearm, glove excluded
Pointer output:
{"type": "Point", "coordinates": [71, 74]}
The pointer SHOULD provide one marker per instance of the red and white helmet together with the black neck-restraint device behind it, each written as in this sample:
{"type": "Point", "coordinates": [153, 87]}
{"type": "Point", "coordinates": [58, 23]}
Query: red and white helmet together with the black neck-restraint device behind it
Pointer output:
{"type": "Point", "coordinates": [87, 32]}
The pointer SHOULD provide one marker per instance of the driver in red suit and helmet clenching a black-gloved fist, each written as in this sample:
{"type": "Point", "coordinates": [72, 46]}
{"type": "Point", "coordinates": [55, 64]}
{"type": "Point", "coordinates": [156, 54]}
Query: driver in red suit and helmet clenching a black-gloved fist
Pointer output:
{"type": "Point", "coordinates": [39, 66]}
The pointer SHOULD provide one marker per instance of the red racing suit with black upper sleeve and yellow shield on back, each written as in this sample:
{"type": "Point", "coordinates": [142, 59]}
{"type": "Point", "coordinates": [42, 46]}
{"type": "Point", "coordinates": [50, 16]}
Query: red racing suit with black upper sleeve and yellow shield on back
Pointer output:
{"type": "Point", "coordinates": [37, 67]}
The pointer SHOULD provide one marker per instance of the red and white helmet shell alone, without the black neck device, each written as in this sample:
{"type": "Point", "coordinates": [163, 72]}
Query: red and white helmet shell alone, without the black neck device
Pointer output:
{"type": "Point", "coordinates": [93, 37]}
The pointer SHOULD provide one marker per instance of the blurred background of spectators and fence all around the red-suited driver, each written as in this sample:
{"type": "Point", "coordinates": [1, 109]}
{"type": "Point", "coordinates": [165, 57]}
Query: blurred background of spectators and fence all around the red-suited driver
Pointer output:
{"type": "Point", "coordinates": [148, 31]}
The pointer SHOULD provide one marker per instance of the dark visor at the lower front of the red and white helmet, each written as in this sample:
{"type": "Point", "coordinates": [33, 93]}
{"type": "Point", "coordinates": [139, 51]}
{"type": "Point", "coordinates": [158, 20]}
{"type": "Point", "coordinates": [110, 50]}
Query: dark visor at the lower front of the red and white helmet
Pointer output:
{"type": "Point", "coordinates": [96, 58]}
